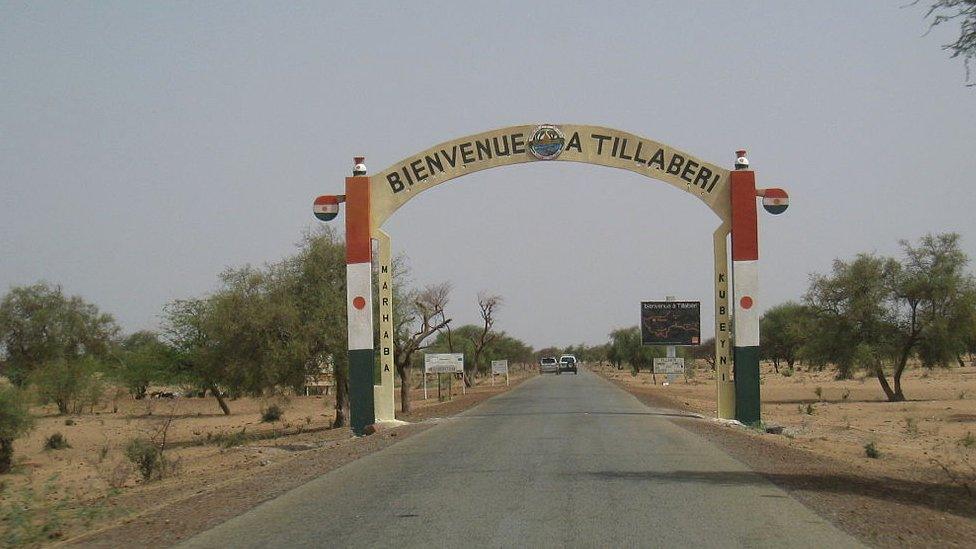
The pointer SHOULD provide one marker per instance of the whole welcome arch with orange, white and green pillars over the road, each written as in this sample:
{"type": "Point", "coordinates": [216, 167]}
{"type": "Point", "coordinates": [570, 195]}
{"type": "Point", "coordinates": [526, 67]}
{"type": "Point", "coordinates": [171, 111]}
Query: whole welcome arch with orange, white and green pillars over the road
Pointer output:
{"type": "Point", "coordinates": [731, 195]}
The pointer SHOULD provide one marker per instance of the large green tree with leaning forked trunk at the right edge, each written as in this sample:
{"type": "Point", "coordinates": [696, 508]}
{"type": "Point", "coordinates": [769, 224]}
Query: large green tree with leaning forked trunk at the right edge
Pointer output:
{"type": "Point", "coordinates": [875, 311]}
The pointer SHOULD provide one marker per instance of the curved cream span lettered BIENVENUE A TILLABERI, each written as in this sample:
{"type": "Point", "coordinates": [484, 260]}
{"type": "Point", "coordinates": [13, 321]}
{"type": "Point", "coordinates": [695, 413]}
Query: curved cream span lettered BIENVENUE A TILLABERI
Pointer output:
{"type": "Point", "coordinates": [396, 185]}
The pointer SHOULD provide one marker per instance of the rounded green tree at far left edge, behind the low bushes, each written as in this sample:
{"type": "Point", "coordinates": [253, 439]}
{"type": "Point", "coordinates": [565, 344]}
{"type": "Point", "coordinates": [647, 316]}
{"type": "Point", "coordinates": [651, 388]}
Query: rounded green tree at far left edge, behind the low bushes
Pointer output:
{"type": "Point", "coordinates": [40, 325]}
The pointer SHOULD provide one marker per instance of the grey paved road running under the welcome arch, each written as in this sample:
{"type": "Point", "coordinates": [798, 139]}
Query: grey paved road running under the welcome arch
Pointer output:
{"type": "Point", "coordinates": [560, 461]}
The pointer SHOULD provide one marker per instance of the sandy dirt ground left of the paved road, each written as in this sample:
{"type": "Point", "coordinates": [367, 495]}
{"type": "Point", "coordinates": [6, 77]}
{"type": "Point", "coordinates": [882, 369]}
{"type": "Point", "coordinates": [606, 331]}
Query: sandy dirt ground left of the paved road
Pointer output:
{"type": "Point", "coordinates": [57, 495]}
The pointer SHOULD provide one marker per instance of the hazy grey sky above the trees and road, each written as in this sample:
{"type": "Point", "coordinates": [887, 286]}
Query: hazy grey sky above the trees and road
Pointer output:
{"type": "Point", "coordinates": [145, 147]}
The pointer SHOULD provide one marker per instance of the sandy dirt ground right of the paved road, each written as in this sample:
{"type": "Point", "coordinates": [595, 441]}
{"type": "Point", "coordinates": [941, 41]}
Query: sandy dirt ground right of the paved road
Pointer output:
{"type": "Point", "coordinates": [919, 491]}
